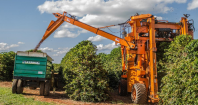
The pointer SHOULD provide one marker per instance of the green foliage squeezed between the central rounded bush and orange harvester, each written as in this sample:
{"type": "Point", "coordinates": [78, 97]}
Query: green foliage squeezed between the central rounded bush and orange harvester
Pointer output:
{"type": "Point", "coordinates": [113, 65]}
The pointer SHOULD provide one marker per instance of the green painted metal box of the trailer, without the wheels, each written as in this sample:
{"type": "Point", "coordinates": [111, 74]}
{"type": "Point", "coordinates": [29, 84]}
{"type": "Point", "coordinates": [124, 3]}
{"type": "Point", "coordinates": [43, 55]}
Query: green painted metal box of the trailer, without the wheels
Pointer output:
{"type": "Point", "coordinates": [30, 66]}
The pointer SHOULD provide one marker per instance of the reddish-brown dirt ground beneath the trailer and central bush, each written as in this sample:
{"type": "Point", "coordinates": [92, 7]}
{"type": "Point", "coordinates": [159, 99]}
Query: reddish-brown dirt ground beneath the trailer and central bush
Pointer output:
{"type": "Point", "coordinates": [59, 97]}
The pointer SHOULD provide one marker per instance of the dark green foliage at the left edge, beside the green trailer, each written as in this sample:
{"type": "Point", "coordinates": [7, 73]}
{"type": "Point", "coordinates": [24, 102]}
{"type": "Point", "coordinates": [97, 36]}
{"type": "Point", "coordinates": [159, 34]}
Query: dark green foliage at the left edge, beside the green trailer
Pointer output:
{"type": "Point", "coordinates": [6, 65]}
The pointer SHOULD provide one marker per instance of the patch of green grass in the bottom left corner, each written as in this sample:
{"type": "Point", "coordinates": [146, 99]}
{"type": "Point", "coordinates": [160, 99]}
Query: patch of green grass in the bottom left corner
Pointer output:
{"type": "Point", "coordinates": [7, 98]}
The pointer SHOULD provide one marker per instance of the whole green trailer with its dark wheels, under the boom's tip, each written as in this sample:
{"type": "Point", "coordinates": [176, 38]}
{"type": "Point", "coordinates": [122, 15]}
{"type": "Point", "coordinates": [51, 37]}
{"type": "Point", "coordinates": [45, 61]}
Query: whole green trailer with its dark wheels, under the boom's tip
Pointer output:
{"type": "Point", "coordinates": [33, 69]}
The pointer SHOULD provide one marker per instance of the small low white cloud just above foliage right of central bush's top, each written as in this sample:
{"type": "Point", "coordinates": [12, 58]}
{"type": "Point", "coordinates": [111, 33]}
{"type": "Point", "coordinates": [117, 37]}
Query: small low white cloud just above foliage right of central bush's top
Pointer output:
{"type": "Point", "coordinates": [106, 47]}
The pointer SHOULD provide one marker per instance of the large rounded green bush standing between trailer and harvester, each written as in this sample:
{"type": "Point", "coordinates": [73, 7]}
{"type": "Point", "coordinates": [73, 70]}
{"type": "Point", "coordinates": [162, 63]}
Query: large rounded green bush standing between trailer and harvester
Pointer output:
{"type": "Point", "coordinates": [86, 80]}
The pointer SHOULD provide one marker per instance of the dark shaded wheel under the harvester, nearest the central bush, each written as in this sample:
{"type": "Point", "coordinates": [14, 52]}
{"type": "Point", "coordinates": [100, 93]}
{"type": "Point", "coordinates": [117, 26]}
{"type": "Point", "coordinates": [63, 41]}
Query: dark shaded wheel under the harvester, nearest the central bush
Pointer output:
{"type": "Point", "coordinates": [122, 87]}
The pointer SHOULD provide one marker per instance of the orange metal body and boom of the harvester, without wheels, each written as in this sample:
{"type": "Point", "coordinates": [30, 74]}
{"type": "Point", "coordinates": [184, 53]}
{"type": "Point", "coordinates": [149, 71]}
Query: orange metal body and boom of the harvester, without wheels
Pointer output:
{"type": "Point", "coordinates": [138, 47]}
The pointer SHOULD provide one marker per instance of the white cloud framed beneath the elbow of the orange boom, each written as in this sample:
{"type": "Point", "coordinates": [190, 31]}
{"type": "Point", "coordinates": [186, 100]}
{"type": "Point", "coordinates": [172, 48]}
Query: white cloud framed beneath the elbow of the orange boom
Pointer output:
{"type": "Point", "coordinates": [68, 30]}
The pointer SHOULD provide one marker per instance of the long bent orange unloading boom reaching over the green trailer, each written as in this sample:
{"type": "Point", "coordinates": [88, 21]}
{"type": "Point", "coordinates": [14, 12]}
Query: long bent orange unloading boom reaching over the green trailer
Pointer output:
{"type": "Point", "coordinates": [62, 17]}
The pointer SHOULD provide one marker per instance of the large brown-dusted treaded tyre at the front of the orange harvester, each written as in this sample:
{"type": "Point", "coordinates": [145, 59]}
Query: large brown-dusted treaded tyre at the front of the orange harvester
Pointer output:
{"type": "Point", "coordinates": [139, 94]}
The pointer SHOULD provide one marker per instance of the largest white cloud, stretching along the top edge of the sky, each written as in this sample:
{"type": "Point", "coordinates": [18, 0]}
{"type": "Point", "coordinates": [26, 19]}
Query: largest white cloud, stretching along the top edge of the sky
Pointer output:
{"type": "Point", "coordinates": [101, 13]}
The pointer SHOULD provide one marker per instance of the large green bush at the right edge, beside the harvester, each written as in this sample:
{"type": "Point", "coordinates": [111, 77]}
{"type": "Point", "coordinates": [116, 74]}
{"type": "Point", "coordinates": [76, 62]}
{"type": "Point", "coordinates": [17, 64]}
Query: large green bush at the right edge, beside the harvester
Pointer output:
{"type": "Point", "coordinates": [180, 84]}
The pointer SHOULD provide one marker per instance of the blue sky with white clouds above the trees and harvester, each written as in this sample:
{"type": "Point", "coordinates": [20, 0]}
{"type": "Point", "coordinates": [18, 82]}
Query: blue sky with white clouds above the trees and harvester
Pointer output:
{"type": "Point", "coordinates": [23, 22]}
